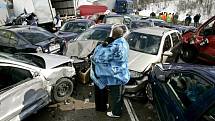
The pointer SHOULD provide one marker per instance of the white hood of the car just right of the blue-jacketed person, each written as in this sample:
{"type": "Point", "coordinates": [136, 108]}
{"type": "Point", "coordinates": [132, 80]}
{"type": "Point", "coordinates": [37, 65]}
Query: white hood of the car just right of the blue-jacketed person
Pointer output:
{"type": "Point", "coordinates": [138, 61]}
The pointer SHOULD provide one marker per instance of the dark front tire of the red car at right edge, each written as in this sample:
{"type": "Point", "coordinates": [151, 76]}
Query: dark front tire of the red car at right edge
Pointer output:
{"type": "Point", "coordinates": [188, 53]}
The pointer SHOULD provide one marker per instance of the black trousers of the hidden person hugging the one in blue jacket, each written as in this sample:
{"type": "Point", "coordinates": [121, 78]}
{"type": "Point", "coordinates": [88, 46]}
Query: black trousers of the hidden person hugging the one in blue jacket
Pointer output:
{"type": "Point", "coordinates": [101, 99]}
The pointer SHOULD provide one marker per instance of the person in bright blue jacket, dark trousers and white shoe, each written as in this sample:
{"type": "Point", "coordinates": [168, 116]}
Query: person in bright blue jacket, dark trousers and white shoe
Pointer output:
{"type": "Point", "coordinates": [110, 68]}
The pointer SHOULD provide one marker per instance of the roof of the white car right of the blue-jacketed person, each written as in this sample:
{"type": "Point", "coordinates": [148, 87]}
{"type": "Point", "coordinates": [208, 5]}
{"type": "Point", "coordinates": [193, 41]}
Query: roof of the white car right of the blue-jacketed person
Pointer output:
{"type": "Point", "coordinates": [158, 31]}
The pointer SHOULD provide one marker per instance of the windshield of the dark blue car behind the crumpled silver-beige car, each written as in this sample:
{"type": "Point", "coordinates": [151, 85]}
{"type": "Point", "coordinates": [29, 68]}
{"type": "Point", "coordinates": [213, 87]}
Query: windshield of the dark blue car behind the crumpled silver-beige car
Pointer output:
{"type": "Point", "coordinates": [76, 27]}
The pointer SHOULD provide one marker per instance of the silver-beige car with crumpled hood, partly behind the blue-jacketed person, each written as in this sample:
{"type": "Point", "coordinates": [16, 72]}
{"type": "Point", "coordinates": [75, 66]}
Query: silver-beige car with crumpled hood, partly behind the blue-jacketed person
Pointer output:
{"type": "Point", "coordinates": [83, 46]}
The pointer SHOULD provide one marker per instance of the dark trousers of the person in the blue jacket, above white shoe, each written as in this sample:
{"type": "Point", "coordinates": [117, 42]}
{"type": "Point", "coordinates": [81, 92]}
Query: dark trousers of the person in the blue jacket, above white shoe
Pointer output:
{"type": "Point", "coordinates": [116, 93]}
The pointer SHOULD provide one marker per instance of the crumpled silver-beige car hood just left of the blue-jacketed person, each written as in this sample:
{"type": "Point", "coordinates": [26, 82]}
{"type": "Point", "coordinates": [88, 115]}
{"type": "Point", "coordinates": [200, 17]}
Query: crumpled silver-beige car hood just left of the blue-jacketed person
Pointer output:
{"type": "Point", "coordinates": [81, 49]}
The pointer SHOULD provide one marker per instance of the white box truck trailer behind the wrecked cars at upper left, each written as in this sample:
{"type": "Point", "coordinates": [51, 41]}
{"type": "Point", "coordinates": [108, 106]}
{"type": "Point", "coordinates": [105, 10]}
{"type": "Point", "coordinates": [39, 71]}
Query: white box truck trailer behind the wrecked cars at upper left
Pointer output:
{"type": "Point", "coordinates": [45, 10]}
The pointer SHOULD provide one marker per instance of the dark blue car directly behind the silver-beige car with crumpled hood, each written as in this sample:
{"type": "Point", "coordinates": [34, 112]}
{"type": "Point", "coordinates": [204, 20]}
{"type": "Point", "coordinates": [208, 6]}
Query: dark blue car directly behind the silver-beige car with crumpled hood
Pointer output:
{"type": "Point", "coordinates": [71, 29]}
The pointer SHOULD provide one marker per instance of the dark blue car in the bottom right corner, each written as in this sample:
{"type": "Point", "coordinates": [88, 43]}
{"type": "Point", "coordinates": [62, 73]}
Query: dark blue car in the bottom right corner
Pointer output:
{"type": "Point", "coordinates": [183, 92]}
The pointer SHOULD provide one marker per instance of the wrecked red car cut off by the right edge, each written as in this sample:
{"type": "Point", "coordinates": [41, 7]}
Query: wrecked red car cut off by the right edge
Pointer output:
{"type": "Point", "coordinates": [200, 44]}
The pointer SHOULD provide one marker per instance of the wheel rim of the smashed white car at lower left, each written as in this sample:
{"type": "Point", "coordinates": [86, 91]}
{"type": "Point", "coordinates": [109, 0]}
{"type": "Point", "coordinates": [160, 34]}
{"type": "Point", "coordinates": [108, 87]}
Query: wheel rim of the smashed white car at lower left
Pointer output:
{"type": "Point", "coordinates": [63, 89]}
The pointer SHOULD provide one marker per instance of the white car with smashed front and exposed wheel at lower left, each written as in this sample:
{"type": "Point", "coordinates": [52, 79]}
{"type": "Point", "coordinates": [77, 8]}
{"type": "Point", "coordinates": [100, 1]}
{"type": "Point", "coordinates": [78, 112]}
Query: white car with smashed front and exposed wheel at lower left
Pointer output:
{"type": "Point", "coordinates": [29, 82]}
